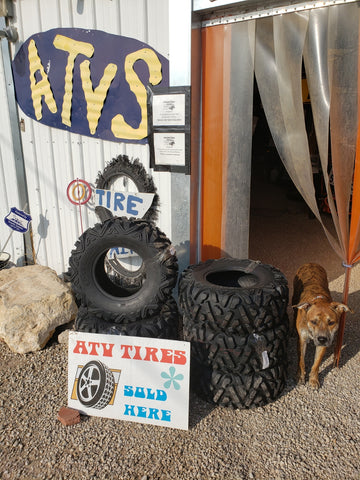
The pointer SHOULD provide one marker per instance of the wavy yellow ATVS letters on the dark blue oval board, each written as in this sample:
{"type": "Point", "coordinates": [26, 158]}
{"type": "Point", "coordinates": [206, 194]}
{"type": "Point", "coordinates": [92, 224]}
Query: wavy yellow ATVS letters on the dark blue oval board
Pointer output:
{"type": "Point", "coordinates": [95, 97]}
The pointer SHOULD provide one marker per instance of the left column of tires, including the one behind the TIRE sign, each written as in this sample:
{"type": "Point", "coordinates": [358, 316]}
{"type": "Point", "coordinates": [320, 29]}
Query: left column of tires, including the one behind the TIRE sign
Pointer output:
{"type": "Point", "coordinates": [113, 299]}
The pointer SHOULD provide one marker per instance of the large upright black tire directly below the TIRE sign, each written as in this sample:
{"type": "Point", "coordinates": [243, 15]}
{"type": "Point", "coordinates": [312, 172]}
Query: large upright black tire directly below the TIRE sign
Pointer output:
{"type": "Point", "coordinates": [94, 288]}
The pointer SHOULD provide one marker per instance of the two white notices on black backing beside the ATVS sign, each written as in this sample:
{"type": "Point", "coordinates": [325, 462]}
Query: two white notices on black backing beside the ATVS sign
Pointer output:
{"type": "Point", "coordinates": [170, 129]}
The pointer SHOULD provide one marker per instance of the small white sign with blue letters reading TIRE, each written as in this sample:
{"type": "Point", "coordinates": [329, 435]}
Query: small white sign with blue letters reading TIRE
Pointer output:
{"type": "Point", "coordinates": [124, 204]}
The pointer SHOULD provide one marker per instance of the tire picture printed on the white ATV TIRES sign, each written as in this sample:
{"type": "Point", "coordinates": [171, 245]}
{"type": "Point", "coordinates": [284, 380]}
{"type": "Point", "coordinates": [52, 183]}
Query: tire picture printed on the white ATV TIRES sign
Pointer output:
{"type": "Point", "coordinates": [95, 386]}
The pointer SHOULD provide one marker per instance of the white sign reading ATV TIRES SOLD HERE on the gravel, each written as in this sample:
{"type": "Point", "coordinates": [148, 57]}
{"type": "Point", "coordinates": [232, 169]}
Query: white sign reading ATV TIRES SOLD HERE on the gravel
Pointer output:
{"type": "Point", "coordinates": [144, 380]}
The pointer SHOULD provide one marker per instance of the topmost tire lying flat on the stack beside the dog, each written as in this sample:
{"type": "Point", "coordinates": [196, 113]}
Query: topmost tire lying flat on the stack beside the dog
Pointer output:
{"type": "Point", "coordinates": [238, 297]}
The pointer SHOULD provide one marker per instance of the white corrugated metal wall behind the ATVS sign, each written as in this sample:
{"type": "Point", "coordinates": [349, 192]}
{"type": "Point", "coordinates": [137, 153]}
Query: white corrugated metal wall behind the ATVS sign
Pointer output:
{"type": "Point", "coordinates": [54, 157]}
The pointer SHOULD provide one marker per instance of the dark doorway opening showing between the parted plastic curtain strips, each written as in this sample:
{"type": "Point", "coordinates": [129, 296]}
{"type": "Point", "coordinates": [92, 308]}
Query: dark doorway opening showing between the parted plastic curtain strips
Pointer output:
{"type": "Point", "coordinates": [283, 231]}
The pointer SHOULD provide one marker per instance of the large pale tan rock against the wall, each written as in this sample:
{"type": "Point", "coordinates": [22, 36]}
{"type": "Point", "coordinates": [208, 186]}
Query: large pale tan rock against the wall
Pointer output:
{"type": "Point", "coordinates": [33, 302]}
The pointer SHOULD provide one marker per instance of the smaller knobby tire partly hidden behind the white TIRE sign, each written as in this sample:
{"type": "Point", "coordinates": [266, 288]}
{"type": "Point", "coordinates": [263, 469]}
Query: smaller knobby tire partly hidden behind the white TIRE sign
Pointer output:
{"type": "Point", "coordinates": [129, 175]}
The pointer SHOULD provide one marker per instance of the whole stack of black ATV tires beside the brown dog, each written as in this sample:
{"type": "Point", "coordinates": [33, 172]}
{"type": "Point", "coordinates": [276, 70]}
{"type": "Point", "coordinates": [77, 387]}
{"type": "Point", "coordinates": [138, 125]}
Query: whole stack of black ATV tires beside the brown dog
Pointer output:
{"type": "Point", "coordinates": [234, 315]}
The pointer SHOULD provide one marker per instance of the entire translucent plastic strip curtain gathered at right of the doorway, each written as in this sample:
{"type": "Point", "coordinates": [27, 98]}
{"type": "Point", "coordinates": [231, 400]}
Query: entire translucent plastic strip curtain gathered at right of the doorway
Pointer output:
{"type": "Point", "coordinates": [328, 39]}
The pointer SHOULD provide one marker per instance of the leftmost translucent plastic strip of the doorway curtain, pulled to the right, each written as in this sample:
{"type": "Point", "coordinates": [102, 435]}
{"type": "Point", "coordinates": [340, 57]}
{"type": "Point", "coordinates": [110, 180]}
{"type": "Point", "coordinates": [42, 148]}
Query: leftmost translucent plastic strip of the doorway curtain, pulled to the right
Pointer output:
{"type": "Point", "coordinates": [278, 63]}
